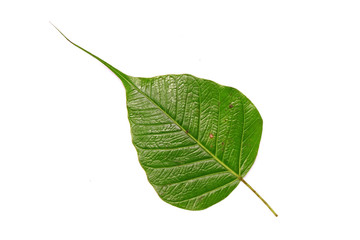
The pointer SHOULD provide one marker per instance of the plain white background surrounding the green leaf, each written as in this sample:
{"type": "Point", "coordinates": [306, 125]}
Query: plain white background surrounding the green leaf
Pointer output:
{"type": "Point", "coordinates": [68, 169]}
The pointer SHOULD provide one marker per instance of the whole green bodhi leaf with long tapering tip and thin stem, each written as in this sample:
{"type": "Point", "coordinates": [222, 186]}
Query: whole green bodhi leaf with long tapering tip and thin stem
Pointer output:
{"type": "Point", "coordinates": [195, 139]}
